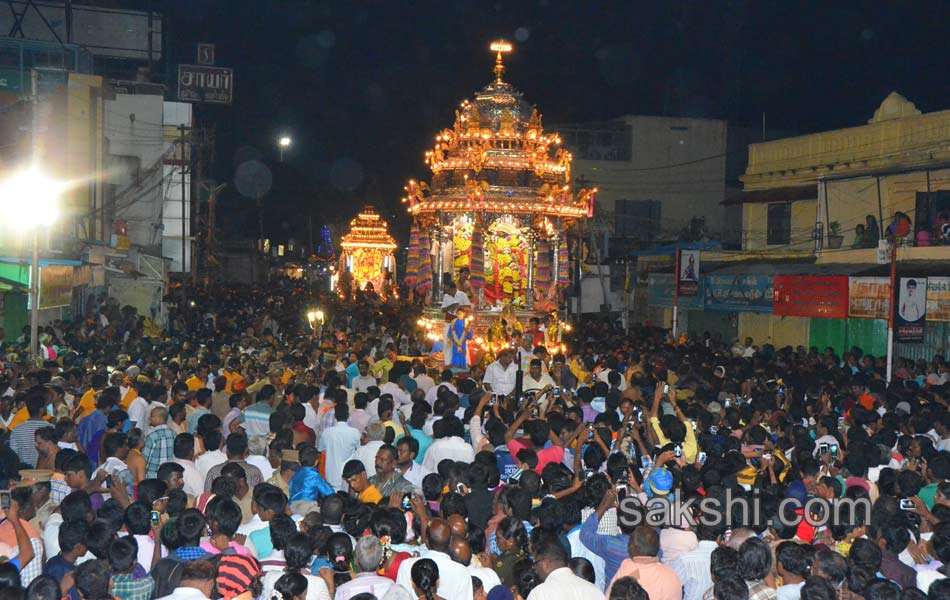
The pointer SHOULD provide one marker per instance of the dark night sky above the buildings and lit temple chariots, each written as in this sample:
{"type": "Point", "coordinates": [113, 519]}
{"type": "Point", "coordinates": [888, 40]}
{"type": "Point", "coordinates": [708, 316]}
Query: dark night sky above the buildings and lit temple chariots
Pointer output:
{"type": "Point", "coordinates": [363, 86]}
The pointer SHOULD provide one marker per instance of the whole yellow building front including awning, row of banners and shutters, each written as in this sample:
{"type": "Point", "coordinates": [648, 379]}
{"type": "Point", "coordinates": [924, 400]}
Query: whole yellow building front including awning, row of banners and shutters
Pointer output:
{"type": "Point", "coordinates": [815, 211]}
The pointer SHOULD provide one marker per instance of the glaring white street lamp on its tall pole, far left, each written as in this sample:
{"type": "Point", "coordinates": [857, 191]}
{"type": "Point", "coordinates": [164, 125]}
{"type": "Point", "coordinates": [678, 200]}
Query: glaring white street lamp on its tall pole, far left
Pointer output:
{"type": "Point", "coordinates": [30, 200]}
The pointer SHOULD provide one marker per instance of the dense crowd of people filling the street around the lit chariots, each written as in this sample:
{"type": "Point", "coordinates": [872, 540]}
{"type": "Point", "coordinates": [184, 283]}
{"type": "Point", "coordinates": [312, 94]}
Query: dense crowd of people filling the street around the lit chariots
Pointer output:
{"type": "Point", "coordinates": [246, 453]}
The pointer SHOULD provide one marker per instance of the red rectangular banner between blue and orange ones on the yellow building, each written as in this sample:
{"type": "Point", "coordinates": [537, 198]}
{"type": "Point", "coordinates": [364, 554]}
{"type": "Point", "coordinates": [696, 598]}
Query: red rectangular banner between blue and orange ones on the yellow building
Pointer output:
{"type": "Point", "coordinates": [807, 296]}
